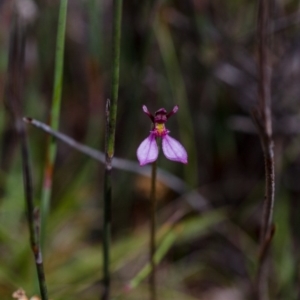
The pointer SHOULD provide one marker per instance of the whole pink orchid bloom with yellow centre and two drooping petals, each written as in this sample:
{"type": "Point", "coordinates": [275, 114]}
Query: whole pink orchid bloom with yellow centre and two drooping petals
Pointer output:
{"type": "Point", "coordinates": [147, 152]}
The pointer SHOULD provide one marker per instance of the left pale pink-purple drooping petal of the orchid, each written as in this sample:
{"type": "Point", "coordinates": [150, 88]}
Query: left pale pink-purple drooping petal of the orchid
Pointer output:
{"type": "Point", "coordinates": [147, 152]}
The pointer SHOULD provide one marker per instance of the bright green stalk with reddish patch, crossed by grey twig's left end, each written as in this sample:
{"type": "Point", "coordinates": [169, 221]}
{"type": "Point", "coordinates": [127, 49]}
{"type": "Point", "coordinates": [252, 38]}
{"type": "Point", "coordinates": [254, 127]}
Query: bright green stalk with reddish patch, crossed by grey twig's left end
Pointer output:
{"type": "Point", "coordinates": [54, 117]}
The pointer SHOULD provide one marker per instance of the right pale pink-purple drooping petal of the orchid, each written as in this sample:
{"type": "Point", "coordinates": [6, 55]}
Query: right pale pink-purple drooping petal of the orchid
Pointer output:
{"type": "Point", "coordinates": [173, 150]}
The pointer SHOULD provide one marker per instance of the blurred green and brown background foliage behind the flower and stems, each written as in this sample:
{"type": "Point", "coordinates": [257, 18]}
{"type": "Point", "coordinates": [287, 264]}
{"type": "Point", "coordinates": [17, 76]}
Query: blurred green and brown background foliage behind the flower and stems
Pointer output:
{"type": "Point", "coordinates": [200, 55]}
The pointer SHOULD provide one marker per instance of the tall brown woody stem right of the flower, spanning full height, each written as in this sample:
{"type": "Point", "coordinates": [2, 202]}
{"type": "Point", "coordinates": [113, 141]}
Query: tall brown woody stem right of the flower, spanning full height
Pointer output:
{"type": "Point", "coordinates": [263, 118]}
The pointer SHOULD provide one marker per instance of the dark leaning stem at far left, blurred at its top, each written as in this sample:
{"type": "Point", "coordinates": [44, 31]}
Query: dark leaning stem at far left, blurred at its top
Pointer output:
{"type": "Point", "coordinates": [14, 92]}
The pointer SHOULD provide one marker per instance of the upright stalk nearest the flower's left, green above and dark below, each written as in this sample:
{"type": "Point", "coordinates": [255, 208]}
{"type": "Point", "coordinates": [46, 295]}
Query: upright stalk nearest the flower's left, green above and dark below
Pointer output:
{"type": "Point", "coordinates": [111, 116]}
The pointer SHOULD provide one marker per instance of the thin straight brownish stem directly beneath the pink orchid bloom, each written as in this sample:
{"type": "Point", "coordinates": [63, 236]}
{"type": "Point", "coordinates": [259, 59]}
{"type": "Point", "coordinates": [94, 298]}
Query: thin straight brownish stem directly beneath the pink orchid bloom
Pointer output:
{"type": "Point", "coordinates": [152, 279]}
